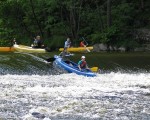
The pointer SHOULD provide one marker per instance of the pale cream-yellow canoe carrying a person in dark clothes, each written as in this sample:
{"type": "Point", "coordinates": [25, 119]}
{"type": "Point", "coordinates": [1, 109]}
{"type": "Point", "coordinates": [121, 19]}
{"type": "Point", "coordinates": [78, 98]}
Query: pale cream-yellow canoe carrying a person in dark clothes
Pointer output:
{"type": "Point", "coordinates": [28, 49]}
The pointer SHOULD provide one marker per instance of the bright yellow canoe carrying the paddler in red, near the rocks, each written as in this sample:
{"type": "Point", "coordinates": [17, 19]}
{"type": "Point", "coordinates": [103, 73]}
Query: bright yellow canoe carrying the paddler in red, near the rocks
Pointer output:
{"type": "Point", "coordinates": [77, 49]}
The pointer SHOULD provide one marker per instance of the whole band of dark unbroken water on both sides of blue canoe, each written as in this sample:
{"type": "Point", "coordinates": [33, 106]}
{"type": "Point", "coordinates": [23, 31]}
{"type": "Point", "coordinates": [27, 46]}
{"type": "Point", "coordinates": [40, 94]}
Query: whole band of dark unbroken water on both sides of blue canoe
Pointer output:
{"type": "Point", "coordinates": [18, 63]}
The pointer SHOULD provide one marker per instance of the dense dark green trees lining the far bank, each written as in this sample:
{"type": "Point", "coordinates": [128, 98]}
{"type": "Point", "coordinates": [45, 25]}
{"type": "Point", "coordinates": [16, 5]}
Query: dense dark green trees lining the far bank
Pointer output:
{"type": "Point", "coordinates": [113, 22]}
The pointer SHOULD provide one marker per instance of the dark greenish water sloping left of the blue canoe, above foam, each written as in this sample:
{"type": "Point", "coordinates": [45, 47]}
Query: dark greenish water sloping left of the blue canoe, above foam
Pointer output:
{"type": "Point", "coordinates": [18, 63]}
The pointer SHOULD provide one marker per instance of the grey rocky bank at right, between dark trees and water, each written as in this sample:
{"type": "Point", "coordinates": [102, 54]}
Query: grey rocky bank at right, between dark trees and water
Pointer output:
{"type": "Point", "coordinates": [140, 36]}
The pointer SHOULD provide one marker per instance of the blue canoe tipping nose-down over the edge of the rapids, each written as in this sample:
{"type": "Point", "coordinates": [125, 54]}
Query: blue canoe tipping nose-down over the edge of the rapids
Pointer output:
{"type": "Point", "coordinates": [71, 67]}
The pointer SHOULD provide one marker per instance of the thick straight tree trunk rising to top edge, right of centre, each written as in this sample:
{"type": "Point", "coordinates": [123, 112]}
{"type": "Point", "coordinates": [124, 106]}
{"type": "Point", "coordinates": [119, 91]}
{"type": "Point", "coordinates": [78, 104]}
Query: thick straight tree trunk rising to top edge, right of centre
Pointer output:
{"type": "Point", "coordinates": [109, 20]}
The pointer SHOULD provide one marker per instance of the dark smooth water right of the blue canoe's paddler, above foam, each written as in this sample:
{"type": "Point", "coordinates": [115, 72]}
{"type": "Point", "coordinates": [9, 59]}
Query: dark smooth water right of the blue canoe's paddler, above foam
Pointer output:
{"type": "Point", "coordinates": [124, 62]}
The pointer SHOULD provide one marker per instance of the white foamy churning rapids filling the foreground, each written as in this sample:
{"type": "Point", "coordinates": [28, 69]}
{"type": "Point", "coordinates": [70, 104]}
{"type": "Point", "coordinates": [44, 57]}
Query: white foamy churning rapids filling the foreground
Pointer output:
{"type": "Point", "coordinates": [113, 96]}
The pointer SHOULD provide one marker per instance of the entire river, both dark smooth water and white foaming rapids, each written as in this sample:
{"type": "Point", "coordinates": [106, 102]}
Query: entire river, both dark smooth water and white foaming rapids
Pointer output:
{"type": "Point", "coordinates": [31, 89]}
